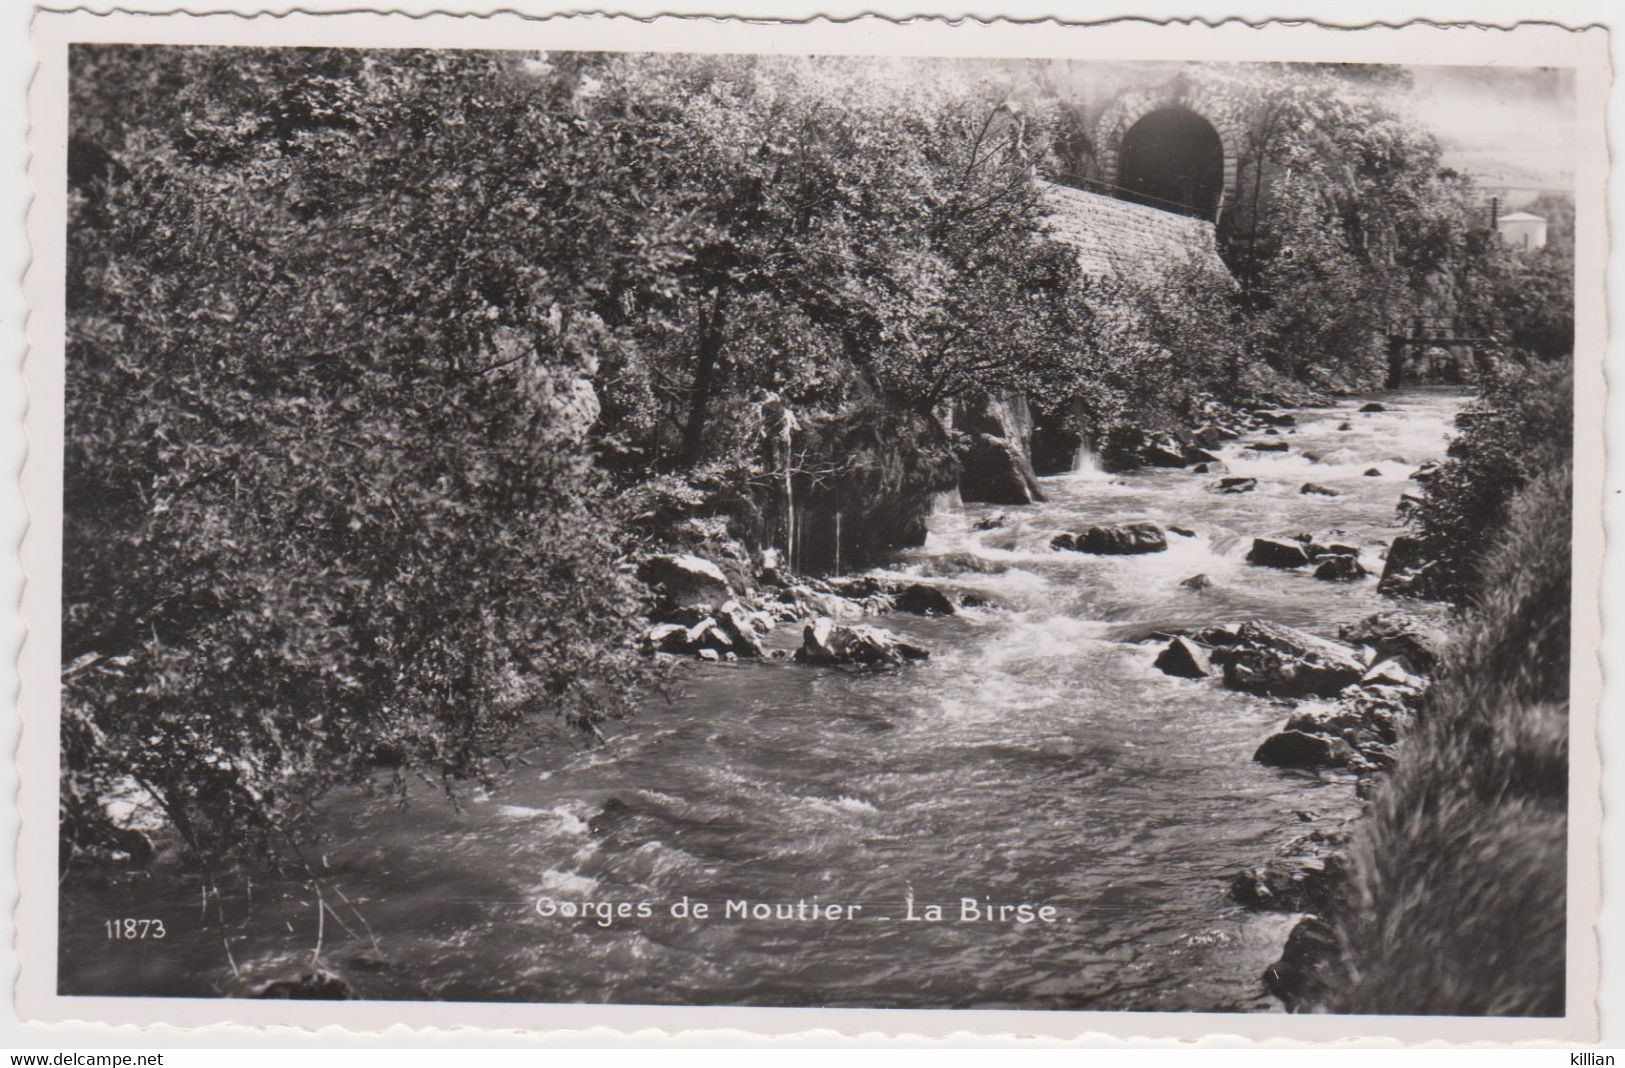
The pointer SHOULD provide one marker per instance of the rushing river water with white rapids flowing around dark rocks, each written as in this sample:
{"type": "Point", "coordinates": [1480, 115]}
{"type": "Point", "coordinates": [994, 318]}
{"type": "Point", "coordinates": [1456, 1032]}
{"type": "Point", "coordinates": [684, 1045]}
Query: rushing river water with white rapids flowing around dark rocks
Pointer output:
{"type": "Point", "coordinates": [1038, 757]}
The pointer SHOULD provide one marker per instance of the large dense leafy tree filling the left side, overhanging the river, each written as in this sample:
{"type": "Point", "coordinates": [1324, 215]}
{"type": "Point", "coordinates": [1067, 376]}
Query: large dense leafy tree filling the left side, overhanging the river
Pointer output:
{"type": "Point", "coordinates": [329, 501]}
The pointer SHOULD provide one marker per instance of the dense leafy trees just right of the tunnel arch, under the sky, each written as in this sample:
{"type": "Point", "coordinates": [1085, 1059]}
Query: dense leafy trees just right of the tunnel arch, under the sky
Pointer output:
{"type": "Point", "coordinates": [1350, 225]}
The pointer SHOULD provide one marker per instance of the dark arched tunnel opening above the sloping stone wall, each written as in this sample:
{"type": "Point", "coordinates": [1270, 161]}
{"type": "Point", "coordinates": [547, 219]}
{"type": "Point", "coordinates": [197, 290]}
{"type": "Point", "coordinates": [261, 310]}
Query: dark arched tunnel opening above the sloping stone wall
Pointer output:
{"type": "Point", "coordinates": [1172, 160]}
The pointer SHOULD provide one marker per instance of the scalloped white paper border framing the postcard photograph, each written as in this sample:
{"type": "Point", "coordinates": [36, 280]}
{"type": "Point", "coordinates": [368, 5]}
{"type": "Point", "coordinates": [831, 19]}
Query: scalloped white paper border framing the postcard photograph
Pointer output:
{"type": "Point", "coordinates": [1450, 40]}
